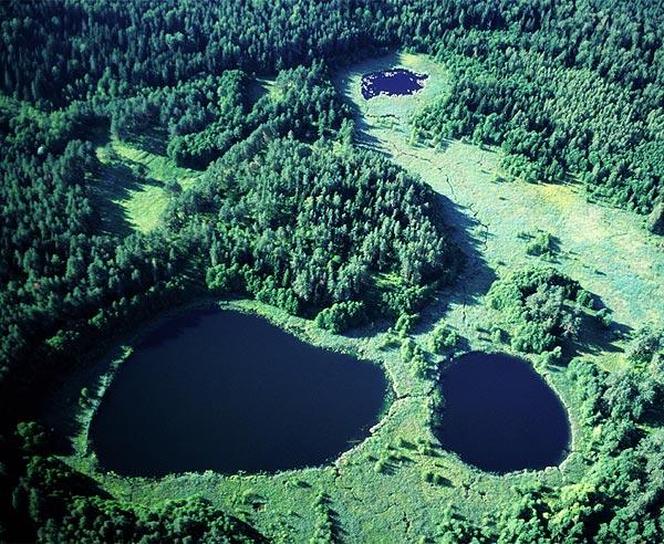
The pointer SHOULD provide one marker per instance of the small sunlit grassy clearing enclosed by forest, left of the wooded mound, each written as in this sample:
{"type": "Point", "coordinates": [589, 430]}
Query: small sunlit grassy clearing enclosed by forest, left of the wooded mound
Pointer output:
{"type": "Point", "coordinates": [133, 186]}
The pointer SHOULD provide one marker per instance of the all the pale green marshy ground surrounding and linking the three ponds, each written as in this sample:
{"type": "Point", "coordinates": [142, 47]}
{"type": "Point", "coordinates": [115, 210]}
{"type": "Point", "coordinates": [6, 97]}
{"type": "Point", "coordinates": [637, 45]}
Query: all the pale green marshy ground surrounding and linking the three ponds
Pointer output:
{"type": "Point", "coordinates": [383, 490]}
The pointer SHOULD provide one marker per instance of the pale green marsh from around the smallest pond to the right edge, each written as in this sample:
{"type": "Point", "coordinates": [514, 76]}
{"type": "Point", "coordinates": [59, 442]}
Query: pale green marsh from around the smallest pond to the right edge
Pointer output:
{"type": "Point", "coordinates": [606, 249]}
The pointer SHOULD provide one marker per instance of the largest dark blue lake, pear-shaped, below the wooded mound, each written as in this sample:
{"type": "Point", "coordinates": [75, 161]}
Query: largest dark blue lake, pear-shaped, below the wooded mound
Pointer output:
{"type": "Point", "coordinates": [226, 391]}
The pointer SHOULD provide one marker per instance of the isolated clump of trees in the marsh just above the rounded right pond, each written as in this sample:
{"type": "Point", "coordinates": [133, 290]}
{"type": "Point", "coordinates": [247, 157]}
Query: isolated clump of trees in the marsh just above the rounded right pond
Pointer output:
{"type": "Point", "coordinates": [538, 304]}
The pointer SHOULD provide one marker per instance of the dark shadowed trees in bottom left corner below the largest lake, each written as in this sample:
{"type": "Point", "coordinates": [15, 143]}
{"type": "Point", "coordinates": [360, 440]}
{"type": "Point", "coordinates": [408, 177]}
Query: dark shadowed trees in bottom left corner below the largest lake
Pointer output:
{"type": "Point", "coordinates": [66, 507]}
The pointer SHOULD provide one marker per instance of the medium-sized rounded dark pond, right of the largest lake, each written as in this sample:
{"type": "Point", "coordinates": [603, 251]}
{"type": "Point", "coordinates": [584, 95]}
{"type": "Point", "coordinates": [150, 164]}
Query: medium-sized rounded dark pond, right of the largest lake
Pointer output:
{"type": "Point", "coordinates": [500, 415]}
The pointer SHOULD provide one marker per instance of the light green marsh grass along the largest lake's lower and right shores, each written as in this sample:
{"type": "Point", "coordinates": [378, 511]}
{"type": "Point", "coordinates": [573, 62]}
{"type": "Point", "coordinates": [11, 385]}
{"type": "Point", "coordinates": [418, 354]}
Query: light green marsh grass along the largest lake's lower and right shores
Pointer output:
{"type": "Point", "coordinates": [371, 506]}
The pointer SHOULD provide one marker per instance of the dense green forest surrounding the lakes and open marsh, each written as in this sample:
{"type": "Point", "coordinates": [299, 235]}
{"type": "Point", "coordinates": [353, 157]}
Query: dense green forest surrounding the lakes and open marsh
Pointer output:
{"type": "Point", "coordinates": [287, 205]}
